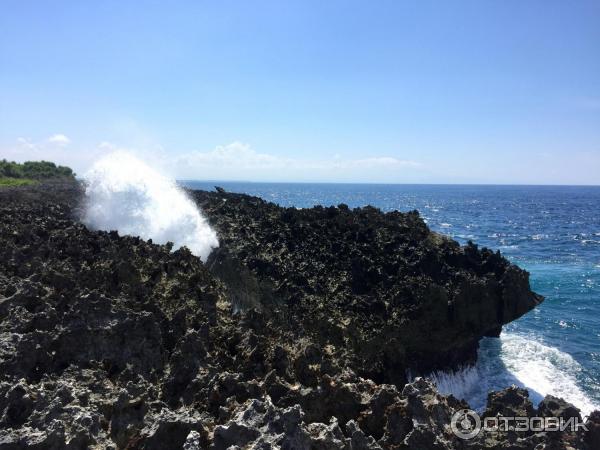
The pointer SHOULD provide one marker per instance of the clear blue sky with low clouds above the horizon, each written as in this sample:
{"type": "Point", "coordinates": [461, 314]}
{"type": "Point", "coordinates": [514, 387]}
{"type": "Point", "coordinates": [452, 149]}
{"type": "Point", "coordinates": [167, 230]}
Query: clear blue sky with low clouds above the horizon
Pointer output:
{"type": "Point", "coordinates": [331, 91]}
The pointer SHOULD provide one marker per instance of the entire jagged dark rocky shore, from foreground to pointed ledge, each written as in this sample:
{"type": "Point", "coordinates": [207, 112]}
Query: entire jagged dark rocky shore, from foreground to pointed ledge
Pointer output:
{"type": "Point", "coordinates": [297, 333]}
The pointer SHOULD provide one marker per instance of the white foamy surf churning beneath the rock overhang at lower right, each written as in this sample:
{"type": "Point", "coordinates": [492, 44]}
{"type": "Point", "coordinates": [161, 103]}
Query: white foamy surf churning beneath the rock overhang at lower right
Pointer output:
{"type": "Point", "coordinates": [519, 360]}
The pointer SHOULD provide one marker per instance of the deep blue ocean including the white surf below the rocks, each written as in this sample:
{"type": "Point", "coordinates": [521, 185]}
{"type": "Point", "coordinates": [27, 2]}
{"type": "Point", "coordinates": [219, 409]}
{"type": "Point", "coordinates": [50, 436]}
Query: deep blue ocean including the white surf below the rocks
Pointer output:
{"type": "Point", "coordinates": [552, 231]}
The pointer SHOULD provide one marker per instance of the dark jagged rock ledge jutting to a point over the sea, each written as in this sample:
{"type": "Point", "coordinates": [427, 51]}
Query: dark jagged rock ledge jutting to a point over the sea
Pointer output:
{"type": "Point", "coordinates": [381, 289]}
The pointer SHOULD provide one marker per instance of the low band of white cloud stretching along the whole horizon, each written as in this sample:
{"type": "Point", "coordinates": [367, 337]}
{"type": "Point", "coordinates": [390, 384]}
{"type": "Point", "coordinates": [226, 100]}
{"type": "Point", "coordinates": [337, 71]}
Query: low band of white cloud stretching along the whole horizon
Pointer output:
{"type": "Point", "coordinates": [238, 161]}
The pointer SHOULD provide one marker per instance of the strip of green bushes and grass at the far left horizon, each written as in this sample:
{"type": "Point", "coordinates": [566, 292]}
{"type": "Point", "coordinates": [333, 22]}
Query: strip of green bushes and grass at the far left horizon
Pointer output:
{"type": "Point", "coordinates": [15, 174]}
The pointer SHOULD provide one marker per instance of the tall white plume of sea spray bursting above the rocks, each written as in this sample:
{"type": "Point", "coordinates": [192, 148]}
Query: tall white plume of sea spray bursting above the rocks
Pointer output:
{"type": "Point", "coordinates": [126, 195]}
